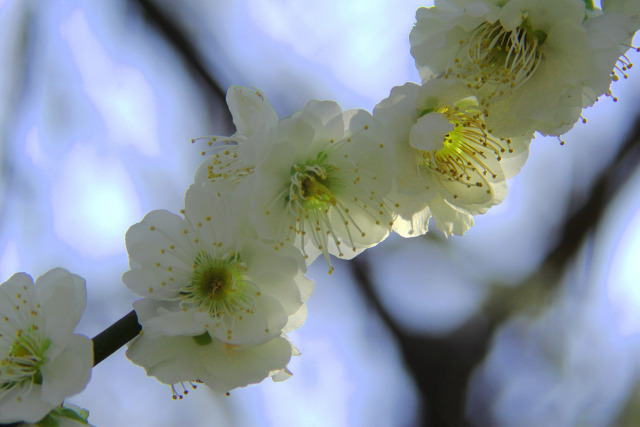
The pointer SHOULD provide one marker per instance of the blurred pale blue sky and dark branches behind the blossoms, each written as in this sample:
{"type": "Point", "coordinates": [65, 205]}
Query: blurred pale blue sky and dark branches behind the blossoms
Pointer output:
{"type": "Point", "coordinates": [530, 319]}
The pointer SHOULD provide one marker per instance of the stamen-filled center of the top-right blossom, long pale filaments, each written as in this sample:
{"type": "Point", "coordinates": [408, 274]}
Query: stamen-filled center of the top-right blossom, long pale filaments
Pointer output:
{"type": "Point", "coordinates": [500, 56]}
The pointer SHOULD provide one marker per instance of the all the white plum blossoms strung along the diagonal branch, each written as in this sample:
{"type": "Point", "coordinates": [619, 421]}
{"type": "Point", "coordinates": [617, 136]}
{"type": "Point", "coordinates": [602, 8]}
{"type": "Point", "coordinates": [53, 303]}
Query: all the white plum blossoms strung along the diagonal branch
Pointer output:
{"type": "Point", "coordinates": [224, 282]}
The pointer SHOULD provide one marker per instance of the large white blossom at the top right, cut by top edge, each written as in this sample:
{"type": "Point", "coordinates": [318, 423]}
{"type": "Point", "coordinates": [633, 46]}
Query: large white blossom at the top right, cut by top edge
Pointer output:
{"type": "Point", "coordinates": [532, 64]}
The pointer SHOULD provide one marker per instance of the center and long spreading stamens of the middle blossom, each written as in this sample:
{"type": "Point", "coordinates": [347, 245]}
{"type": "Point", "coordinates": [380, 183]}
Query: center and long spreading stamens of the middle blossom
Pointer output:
{"type": "Point", "coordinates": [328, 202]}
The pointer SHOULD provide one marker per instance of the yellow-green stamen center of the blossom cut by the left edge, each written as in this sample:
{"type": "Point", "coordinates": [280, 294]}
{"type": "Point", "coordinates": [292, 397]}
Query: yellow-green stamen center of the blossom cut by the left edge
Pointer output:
{"type": "Point", "coordinates": [24, 359]}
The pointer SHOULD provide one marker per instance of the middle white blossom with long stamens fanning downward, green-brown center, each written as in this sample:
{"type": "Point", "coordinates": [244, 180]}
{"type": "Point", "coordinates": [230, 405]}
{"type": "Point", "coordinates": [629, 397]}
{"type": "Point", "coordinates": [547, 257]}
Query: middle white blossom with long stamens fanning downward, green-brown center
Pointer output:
{"type": "Point", "coordinates": [321, 183]}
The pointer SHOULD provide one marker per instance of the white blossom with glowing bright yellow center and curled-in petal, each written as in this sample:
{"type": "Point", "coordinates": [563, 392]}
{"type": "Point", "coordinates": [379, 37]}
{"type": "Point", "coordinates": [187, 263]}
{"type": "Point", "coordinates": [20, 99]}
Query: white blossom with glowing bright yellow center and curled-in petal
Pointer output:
{"type": "Point", "coordinates": [448, 163]}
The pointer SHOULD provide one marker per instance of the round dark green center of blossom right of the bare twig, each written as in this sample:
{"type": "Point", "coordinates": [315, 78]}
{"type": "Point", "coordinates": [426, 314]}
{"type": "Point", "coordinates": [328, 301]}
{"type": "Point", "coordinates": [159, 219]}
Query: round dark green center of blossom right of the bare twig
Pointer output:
{"type": "Point", "coordinates": [219, 286]}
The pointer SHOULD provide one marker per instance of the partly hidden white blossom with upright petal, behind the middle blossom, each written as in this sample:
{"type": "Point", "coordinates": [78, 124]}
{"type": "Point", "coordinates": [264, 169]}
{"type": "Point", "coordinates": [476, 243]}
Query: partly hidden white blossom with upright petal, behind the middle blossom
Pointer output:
{"type": "Point", "coordinates": [228, 159]}
